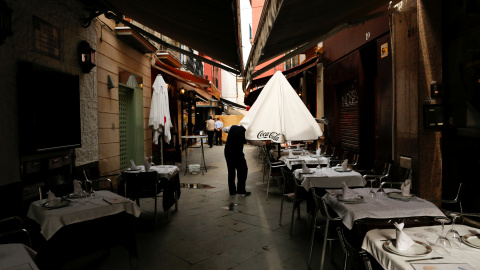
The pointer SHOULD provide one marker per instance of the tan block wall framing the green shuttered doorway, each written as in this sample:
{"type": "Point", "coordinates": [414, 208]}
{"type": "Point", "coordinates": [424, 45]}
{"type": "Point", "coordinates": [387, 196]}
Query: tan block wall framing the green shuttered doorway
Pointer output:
{"type": "Point", "coordinates": [113, 54]}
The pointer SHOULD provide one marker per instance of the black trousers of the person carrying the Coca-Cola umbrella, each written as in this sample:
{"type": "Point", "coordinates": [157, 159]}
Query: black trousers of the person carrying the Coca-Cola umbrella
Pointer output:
{"type": "Point", "coordinates": [237, 168]}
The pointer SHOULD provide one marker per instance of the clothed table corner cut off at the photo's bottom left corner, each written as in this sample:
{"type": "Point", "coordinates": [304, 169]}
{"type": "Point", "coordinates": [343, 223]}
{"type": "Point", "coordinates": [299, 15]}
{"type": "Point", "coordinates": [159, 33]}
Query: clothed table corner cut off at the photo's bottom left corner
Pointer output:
{"type": "Point", "coordinates": [17, 256]}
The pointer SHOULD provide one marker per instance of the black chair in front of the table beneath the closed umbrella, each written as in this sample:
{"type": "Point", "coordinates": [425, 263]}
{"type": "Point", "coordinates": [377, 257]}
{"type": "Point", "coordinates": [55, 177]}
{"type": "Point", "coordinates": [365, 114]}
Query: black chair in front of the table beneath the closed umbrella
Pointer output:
{"type": "Point", "coordinates": [143, 185]}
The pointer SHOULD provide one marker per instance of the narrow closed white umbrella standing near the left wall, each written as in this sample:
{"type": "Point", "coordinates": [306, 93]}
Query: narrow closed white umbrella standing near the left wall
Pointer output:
{"type": "Point", "coordinates": [159, 118]}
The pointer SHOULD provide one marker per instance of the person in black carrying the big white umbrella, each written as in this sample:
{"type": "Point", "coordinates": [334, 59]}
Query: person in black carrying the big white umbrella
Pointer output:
{"type": "Point", "coordinates": [236, 163]}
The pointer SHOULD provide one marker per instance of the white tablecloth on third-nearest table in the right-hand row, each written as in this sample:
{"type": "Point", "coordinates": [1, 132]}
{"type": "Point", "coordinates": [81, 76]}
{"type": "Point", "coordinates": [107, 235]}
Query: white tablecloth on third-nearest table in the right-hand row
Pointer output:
{"type": "Point", "coordinates": [329, 178]}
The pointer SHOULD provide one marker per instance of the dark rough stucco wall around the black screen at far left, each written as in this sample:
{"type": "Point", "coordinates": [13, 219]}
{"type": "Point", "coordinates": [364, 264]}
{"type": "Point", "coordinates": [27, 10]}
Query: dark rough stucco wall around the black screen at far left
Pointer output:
{"type": "Point", "coordinates": [65, 15]}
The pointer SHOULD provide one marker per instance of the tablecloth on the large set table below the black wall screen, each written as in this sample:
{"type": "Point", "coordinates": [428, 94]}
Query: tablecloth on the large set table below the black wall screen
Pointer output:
{"type": "Point", "coordinates": [89, 208]}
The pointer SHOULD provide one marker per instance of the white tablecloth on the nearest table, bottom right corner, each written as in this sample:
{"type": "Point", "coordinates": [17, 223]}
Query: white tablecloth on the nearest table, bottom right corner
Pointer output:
{"type": "Point", "coordinates": [372, 244]}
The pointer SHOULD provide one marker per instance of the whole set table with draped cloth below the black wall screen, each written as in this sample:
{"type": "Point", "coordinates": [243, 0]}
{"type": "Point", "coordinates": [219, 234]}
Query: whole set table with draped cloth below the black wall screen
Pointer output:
{"type": "Point", "coordinates": [85, 225]}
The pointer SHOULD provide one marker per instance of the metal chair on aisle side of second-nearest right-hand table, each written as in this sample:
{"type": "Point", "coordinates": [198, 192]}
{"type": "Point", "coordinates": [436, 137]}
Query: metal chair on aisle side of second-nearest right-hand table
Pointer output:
{"type": "Point", "coordinates": [328, 233]}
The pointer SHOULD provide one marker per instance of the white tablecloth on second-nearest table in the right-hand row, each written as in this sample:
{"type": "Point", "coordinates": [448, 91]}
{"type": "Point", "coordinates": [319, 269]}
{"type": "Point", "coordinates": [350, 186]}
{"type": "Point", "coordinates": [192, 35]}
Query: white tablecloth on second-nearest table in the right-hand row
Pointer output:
{"type": "Point", "coordinates": [381, 208]}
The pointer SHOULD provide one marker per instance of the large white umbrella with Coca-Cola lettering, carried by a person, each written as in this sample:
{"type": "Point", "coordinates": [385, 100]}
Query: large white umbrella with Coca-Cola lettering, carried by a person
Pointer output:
{"type": "Point", "coordinates": [279, 114]}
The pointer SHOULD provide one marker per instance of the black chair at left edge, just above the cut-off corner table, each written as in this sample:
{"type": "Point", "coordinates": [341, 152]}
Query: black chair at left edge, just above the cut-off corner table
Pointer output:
{"type": "Point", "coordinates": [13, 231]}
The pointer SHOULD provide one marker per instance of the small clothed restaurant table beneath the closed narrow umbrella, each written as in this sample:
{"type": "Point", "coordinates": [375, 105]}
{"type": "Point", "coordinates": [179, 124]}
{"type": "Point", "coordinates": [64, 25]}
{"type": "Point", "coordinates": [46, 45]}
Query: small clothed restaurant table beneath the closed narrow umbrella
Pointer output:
{"type": "Point", "coordinates": [171, 192]}
